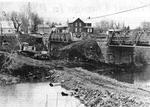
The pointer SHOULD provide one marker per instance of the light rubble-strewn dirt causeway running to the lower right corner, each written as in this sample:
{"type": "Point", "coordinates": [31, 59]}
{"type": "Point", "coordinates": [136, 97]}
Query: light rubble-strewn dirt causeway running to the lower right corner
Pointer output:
{"type": "Point", "coordinates": [94, 90]}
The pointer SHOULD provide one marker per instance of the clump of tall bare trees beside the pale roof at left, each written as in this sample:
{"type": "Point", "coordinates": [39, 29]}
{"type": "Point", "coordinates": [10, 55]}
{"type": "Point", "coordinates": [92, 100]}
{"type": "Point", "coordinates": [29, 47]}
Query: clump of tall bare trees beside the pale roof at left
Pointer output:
{"type": "Point", "coordinates": [24, 23]}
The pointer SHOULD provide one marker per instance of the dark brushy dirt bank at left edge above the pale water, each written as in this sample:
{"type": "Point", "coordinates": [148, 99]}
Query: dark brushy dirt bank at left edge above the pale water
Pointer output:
{"type": "Point", "coordinates": [24, 68]}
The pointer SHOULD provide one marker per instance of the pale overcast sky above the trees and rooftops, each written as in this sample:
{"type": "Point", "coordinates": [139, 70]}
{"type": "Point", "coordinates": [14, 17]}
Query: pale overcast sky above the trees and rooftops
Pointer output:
{"type": "Point", "coordinates": [61, 10]}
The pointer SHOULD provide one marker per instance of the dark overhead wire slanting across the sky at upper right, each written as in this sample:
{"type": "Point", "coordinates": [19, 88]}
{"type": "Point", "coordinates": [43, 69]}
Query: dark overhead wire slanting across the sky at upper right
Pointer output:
{"type": "Point", "coordinates": [120, 12]}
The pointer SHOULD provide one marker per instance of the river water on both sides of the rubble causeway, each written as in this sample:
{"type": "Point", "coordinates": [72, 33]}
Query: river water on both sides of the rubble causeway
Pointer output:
{"type": "Point", "coordinates": [42, 95]}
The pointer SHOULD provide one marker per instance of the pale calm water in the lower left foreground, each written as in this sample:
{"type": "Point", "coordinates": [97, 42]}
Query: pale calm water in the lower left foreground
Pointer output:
{"type": "Point", "coordinates": [35, 95]}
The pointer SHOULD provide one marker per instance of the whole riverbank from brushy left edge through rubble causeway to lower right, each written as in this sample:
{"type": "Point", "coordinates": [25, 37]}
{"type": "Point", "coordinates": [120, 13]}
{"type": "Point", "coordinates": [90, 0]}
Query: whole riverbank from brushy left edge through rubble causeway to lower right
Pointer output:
{"type": "Point", "coordinates": [94, 90]}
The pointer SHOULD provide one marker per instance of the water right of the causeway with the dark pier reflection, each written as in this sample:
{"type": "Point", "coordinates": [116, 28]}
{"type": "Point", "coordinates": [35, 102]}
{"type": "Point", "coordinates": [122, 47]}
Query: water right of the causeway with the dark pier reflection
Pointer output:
{"type": "Point", "coordinates": [139, 78]}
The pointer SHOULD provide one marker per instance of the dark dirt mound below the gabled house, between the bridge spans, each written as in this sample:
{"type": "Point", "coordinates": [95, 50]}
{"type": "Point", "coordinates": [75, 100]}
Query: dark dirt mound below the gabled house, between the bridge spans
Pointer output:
{"type": "Point", "coordinates": [87, 50]}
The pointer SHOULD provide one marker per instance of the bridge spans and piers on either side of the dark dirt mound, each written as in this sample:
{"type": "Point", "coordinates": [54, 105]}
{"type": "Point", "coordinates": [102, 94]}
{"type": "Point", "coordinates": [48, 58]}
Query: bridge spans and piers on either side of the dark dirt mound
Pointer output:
{"type": "Point", "coordinates": [118, 47]}
